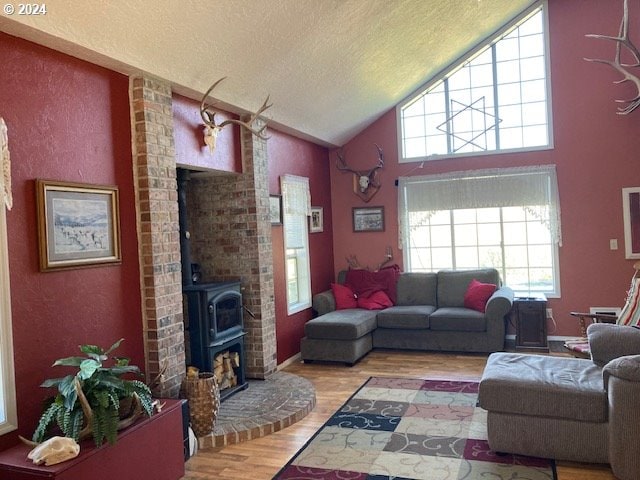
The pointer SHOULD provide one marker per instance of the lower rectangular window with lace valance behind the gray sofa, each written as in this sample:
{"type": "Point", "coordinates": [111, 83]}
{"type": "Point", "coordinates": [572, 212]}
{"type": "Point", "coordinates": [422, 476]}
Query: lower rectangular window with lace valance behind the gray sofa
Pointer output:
{"type": "Point", "coordinates": [504, 218]}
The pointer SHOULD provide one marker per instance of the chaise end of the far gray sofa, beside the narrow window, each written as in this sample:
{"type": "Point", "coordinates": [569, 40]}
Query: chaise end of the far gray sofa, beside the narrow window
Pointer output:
{"type": "Point", "coordinates": [339, 336]}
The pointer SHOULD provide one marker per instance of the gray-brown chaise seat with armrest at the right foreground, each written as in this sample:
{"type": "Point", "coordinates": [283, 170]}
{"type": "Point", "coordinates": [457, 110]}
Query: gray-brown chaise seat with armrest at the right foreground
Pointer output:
{"type": "Point", "coordinates": [569, 408]}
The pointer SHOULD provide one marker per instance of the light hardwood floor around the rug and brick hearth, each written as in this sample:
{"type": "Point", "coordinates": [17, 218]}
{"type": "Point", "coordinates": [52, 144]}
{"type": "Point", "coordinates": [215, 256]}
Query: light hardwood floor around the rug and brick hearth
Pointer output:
{"type": "Point", "coordinates": [263, 457]}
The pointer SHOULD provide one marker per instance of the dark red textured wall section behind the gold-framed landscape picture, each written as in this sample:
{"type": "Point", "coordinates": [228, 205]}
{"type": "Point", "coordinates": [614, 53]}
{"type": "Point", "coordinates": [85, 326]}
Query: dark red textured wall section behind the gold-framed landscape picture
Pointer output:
{"type": "Point", "coordinates": [67, 120]}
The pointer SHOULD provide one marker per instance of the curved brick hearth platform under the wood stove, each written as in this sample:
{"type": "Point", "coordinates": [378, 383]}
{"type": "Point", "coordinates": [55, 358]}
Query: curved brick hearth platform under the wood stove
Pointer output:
{"type": "Point", "coordinates": [265, 407]}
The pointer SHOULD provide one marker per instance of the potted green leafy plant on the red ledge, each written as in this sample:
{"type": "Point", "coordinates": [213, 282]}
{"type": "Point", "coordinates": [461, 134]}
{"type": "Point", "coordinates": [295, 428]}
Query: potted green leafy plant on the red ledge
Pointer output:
{"type": "Point", "coordinates": [96, 401]}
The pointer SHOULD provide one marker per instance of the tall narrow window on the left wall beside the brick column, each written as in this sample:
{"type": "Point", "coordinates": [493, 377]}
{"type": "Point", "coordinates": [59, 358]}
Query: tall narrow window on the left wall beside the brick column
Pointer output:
{"type": "Point", "coordinates": [296, 206]}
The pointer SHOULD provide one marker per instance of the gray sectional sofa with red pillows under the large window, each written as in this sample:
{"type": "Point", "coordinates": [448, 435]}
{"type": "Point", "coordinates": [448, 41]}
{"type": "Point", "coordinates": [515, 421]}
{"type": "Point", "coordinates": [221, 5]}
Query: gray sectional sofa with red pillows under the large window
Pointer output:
{"type": "Point", "coordinates": [429, 315]}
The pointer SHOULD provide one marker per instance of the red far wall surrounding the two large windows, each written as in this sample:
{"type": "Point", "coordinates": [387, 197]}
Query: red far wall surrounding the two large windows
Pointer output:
{"type": "Point", "coordinates": [595, 156]}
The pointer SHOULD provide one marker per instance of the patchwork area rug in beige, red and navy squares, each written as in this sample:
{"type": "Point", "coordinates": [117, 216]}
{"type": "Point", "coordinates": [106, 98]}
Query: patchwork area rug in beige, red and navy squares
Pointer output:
{"type": "Point", "coordinates": [394, 428]}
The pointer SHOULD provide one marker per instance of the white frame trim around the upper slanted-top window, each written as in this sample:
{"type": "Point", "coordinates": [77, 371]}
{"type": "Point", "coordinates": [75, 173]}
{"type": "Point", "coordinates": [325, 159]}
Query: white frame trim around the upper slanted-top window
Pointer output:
{"type": "Point", "coordinates": [454, 66]}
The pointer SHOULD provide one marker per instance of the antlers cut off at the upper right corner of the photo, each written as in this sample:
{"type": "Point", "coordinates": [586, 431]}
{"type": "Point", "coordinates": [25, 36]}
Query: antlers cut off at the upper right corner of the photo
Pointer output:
{"type": "Point", "coordinates": [622, 40]}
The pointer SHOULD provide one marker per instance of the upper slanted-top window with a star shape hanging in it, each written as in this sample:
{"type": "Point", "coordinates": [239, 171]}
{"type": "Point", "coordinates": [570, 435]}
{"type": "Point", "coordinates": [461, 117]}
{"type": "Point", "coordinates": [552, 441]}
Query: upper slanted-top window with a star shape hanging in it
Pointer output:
{"type": "Point", "coordinates": [497, 100]}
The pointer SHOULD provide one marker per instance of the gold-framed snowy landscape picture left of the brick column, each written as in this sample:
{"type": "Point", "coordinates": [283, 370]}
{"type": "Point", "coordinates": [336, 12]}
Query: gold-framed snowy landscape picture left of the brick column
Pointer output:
{"type": "Point", "coordinates": [78, 225]}
